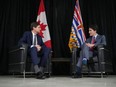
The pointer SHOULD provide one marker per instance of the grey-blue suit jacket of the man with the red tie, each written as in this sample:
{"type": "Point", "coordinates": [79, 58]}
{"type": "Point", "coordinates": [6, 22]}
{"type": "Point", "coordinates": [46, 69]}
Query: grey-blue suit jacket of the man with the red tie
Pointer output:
{"type": "Point", "coordinates": [100, 39]}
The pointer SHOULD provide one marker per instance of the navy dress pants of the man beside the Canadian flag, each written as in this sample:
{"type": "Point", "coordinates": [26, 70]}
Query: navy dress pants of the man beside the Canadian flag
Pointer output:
{"type": "Point", "coordinates": [39, 59]}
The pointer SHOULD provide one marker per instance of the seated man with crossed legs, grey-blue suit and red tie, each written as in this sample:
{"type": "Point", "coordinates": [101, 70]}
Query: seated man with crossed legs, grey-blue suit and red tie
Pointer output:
{"type": "Point", "coordinates": [87, 50]}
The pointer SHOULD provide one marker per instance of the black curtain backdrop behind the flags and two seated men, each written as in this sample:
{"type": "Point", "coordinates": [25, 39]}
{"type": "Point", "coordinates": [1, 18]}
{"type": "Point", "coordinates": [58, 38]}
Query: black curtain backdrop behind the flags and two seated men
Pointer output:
{"type": "Point", "coordinates": [16, 16]}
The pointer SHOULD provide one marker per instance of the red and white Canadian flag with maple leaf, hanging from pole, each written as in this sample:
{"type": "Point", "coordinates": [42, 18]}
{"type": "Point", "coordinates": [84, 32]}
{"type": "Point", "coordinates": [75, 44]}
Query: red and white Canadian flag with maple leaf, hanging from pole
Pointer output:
{"type": "Point", "coordinates": [41, 19]}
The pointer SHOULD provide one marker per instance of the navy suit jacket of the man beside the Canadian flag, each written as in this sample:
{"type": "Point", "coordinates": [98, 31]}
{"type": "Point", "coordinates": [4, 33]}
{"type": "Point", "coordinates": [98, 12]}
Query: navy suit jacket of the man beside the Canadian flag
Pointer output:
{"type": "Point", "coordinates": [27, 39]}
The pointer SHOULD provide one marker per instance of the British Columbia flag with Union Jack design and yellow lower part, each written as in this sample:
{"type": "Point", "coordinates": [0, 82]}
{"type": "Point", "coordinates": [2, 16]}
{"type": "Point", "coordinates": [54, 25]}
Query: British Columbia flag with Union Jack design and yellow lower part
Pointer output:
{"type": "Point", "coordinates": [77, 36]}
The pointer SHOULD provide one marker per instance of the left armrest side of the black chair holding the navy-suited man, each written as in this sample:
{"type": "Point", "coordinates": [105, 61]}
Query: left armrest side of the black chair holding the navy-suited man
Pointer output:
{"type": "Point", "coordinates": [17, 58]}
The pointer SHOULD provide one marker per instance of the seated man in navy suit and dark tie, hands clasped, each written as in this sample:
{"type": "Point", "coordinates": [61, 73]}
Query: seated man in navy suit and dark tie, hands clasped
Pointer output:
{"type": "Point", "coordinates": [36, 49]}
